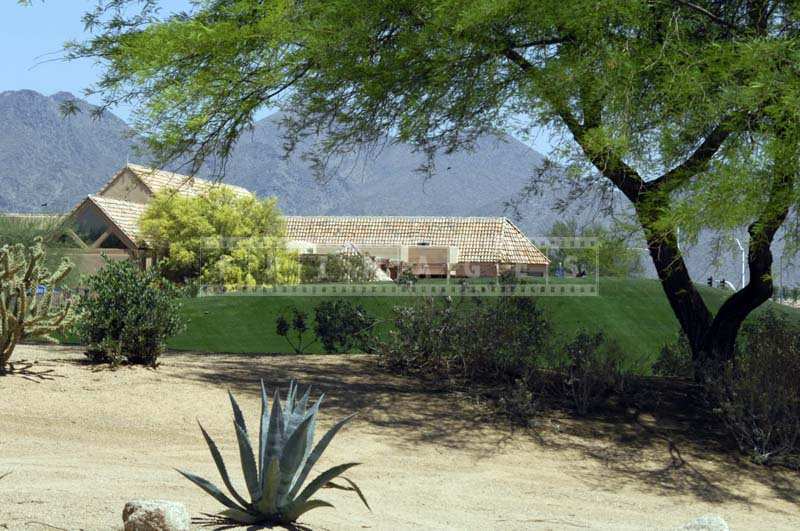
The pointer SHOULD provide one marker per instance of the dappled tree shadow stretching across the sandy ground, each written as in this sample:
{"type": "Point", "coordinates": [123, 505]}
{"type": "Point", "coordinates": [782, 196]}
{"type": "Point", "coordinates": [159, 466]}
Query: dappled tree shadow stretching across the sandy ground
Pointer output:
{"type": "Point", "coordinates": [661, 437]}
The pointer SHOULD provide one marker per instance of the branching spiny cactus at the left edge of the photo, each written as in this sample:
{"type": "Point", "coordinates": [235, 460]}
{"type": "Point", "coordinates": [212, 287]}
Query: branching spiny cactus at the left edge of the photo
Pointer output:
{"type": "Point", "coordinates": [23, 312]}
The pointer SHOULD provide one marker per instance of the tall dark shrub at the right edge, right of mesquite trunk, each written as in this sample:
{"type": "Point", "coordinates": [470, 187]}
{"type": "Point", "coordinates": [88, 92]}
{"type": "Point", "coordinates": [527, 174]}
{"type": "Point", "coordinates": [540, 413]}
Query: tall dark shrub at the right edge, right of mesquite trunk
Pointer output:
{"type": "Point", "coordinates": [758, 395]}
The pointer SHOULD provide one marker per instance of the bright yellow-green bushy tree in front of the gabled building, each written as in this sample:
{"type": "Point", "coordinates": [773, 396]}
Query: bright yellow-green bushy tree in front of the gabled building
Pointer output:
{"type": "Point", "coordinates": [219, 238]}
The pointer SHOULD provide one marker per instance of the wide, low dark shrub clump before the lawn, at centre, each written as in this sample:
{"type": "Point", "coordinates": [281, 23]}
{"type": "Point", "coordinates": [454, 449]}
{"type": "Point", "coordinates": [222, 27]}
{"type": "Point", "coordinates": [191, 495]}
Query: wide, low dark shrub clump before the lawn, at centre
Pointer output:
{"type": "Point", "coordinates": [494, 340]}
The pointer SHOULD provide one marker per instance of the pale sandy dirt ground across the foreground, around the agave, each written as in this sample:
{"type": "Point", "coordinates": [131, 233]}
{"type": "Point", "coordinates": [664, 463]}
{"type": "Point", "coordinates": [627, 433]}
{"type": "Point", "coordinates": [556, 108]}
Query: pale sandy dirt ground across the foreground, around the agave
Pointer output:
{"type": "Point", "coordinates": [82, 444]}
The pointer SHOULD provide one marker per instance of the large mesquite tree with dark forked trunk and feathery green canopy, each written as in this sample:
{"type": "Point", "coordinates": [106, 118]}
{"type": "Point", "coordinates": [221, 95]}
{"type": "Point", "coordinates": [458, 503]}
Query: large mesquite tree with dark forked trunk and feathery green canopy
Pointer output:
{"type": "Point", "coordinates": [688, 109]}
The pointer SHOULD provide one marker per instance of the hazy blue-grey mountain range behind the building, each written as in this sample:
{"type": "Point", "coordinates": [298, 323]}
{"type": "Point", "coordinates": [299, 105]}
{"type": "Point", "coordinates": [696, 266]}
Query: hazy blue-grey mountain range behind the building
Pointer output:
{"type": "Point", "coordinates": [49, 162]}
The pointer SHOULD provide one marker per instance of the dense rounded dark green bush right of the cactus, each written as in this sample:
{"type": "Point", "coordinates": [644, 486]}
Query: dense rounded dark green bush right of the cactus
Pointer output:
{"type": "Point", "coordinates": [130, 311]}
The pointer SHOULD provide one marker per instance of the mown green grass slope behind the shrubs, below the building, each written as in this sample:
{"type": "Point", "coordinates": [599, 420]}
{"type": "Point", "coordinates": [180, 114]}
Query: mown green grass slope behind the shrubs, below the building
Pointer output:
{"type": "Point", "coordinates": [635, 312]}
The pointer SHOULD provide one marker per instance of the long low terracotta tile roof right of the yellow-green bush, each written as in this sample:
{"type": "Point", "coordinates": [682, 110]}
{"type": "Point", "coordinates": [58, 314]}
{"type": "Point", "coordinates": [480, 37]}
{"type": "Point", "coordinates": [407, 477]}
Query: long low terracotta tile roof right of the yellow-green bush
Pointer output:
{"type": "Point", "coordinates": [477, 239]}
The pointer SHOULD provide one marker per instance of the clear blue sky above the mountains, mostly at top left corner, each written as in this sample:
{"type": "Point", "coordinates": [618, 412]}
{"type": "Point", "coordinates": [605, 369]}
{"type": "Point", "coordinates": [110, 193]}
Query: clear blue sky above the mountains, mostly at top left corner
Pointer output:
{"type": "Point", "coordinates": [31, 41]}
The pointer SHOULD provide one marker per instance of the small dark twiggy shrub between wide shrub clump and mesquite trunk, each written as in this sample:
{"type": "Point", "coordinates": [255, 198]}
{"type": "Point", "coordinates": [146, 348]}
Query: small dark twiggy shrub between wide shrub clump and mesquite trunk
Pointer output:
{"type": "Point", "coordinates": [591, 369]}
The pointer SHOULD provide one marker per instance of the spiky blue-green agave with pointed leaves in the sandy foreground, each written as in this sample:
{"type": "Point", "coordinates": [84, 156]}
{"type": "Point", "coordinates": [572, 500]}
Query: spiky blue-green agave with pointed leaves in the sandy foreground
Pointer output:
{"type": "Point", "coordinates": [285, 460]}
